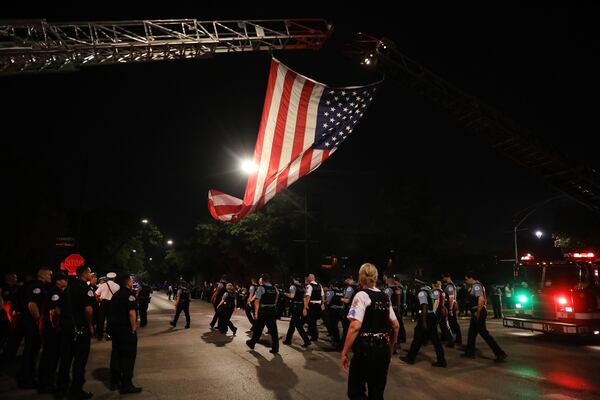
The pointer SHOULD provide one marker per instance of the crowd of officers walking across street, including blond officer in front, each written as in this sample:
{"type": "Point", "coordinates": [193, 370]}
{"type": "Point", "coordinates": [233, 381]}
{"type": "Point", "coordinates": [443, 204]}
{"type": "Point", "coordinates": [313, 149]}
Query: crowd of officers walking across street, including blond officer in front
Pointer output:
{"type": "Point", "coordinates": [371, 318]}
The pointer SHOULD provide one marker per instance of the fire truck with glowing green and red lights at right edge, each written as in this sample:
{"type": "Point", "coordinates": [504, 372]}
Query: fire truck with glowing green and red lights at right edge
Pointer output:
{"type": "Point", "coordinates": [558, 297]}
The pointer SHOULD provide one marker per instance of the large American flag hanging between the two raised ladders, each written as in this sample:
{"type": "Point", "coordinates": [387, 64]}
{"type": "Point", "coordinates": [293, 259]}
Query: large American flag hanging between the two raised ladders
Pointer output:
{"type": "Point", "coordinates": [303, 123]}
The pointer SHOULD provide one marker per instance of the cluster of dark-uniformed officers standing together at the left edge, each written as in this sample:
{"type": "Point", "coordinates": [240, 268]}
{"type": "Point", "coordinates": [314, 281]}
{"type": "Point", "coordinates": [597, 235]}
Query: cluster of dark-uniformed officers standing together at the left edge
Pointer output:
{"type": "Point", "coordinates": [55, 316]}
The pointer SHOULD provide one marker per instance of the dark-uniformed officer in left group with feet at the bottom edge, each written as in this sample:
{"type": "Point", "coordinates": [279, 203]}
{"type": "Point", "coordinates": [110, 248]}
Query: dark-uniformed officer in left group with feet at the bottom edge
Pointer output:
{"type": "Point", "coordinates": [76, 321]}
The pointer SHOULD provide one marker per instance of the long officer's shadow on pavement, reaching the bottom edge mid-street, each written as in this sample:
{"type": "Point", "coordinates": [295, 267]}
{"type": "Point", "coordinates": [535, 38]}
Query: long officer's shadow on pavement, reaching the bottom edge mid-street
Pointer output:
{"type": "Point", "coordinates": [275, 375]}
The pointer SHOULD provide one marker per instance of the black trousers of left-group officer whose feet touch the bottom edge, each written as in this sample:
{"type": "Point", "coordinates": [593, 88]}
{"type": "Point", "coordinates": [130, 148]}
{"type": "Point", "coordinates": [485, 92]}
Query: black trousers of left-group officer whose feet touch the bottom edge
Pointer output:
{"type": "Point", "coordinates": [74, 353]}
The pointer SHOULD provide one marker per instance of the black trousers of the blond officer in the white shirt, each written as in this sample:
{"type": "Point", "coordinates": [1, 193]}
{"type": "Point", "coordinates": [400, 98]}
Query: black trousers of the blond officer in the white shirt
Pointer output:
{"type": "Point", "coordinates": [368, 369]}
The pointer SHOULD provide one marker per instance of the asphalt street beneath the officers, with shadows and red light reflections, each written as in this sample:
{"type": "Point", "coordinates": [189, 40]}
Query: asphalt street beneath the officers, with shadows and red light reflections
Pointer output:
{"type": "Point", "coordinates": [198, 363]}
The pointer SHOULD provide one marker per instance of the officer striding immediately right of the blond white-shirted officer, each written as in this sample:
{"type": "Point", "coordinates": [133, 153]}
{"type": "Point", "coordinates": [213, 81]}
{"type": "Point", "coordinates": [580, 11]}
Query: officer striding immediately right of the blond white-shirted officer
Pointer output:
{"type": "Point", "coordinates": [426, 328]}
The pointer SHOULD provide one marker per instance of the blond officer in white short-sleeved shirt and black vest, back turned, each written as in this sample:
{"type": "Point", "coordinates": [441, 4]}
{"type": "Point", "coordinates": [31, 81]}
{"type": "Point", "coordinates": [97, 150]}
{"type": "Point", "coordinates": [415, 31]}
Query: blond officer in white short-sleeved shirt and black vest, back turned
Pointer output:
{"type": "Point", "coordinates": [372, 318]}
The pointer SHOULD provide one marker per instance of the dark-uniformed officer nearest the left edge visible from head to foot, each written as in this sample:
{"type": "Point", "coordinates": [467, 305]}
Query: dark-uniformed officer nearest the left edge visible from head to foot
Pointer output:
{"type": "Point", "coordinates": [32, 306]}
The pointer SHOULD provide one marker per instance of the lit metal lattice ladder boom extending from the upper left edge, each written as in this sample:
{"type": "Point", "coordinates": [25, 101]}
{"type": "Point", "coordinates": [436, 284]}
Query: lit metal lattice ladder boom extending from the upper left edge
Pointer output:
{"type": "Point", "coordinates": [36, 46]}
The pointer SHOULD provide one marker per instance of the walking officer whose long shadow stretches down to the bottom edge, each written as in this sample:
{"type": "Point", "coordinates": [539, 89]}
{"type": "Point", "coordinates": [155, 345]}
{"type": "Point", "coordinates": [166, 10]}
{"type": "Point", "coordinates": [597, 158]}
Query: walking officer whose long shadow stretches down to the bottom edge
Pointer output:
{"type": "Point", "coordinates": [265, 312]}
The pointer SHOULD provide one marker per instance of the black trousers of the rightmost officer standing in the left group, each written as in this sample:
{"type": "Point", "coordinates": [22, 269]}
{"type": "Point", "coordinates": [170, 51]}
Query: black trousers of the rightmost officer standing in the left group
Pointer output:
{"type": "Point", "coordinates": [122, 357]}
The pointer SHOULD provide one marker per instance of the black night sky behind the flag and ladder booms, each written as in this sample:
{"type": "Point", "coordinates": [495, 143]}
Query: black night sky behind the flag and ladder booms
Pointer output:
{"type": "Point", "coordinates": [153, 138]}
